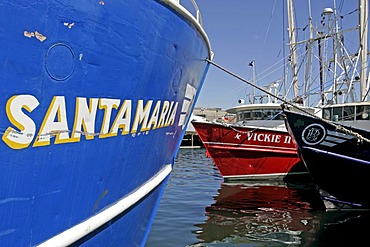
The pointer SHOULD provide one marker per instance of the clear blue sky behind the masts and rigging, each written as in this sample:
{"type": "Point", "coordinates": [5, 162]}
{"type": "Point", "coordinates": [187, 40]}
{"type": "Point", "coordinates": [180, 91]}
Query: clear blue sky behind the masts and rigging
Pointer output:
{"type": "Point", "coordinates": [243, 30]}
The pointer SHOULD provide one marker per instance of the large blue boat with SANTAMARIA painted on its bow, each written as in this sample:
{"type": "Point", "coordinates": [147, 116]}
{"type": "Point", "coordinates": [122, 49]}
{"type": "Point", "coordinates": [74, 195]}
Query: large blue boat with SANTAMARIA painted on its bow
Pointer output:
{"type": "Point", "coordinates": [95, 100]}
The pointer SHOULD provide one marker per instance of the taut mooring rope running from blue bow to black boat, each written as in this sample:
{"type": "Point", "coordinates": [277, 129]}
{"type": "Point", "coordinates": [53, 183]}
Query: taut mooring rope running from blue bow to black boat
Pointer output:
{"type": "Point", "coordinates": [336, 126]}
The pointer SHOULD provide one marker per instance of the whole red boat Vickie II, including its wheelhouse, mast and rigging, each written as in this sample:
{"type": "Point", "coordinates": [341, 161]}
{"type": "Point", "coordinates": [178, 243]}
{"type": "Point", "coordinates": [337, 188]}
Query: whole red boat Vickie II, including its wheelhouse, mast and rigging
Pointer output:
{"type": "Point", "coordinates": [254, 143]}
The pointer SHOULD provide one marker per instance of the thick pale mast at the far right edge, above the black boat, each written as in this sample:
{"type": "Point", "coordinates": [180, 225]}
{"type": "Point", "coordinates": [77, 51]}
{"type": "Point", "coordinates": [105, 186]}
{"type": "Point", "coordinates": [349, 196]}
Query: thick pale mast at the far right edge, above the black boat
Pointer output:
{"type": "Point", "coordinates": [363, 29]}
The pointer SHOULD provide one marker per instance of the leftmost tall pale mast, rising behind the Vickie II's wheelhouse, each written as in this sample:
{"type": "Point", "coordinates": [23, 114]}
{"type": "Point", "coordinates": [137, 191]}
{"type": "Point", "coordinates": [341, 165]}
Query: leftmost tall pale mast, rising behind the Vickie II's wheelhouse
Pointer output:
{"type": "Point", "coordinates": [292, 45]}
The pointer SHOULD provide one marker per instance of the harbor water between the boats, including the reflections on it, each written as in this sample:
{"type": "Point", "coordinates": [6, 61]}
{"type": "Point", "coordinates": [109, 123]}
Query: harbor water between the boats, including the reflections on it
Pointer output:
{"type": "Point", "coordinates": [199, 209]}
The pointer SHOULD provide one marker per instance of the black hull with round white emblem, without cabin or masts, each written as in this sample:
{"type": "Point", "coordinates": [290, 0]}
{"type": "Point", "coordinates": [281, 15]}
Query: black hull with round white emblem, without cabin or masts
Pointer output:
{"type": "Point", "coordinates": [338, 162]}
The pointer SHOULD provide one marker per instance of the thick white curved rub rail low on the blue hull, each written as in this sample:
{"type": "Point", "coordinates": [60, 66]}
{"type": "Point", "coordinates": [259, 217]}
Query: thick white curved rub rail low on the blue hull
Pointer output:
{"type": "Point", "coordinates": [79, 231]}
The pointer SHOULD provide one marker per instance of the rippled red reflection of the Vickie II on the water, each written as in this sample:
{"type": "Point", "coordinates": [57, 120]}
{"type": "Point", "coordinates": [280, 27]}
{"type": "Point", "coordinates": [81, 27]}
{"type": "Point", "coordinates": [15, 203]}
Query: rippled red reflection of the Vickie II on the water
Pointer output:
{"type": "Point", "coordinates": [260, 212]}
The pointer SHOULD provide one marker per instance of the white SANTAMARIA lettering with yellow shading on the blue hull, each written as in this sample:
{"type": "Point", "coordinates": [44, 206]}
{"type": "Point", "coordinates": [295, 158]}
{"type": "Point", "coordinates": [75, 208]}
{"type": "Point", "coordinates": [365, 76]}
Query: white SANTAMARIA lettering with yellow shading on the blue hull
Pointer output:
{"type": "Point", "coordinates": [149, 115]}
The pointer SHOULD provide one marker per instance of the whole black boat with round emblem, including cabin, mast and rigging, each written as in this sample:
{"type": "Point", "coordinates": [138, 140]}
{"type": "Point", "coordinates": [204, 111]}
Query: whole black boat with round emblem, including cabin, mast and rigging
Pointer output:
{"type": "Point", "coordinates": [335, 146]}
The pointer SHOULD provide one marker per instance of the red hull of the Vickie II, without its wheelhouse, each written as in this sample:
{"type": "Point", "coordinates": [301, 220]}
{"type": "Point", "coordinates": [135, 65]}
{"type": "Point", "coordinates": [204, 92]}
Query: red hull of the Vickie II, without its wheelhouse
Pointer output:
{"type": "Point", "coordinates": [247, 153]}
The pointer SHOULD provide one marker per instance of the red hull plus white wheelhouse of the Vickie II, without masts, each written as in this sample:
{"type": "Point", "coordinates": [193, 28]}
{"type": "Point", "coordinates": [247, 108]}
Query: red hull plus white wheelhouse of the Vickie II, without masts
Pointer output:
{"type": "Point", "coordinates": [256, 145]}
